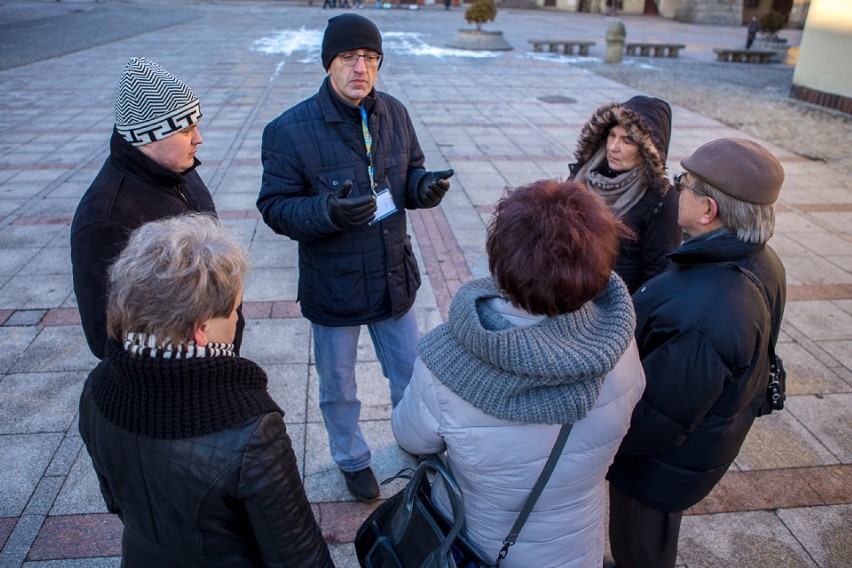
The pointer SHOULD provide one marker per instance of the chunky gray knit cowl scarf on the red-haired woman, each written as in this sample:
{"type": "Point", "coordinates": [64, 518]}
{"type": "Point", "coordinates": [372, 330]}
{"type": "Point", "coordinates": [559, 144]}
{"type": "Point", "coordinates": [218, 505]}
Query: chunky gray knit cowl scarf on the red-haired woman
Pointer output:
{"type": "Point", "coordinates": [548, 373]}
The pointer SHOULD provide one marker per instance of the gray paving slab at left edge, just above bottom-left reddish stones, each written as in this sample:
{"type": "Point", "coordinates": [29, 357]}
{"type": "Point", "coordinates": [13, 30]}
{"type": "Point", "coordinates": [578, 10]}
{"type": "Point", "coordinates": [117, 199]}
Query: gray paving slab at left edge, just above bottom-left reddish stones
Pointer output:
{"type": "Point", "coordinates": [22, 475]}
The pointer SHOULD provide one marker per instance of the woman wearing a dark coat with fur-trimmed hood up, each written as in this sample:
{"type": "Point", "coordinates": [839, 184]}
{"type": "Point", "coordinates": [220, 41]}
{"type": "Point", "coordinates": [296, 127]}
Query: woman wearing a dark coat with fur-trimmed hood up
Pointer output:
{"type": "Point", "coordinates": [621, 156]}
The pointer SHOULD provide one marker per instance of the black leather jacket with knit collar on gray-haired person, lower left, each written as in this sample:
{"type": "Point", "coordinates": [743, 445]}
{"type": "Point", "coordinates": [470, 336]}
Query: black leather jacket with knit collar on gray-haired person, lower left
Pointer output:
{"type": "Point", "coordinates": [194, 456]}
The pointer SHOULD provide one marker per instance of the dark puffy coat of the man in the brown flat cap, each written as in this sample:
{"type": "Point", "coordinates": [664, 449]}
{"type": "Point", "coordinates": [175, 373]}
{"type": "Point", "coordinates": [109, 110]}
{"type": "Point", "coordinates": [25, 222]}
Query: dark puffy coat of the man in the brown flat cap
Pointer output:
{"type": "Point", "coordinates": [703, 330]}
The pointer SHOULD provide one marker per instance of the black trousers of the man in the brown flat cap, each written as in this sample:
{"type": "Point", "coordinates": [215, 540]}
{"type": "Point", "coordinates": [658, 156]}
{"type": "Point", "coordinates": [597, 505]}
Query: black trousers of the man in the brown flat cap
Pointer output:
{"type": "Point", "coordinates": [641, 536]}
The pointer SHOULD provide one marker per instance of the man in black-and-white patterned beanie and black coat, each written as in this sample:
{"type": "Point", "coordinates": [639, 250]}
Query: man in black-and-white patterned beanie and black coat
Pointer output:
{"type": "Point", "coordinates": [149, 174]}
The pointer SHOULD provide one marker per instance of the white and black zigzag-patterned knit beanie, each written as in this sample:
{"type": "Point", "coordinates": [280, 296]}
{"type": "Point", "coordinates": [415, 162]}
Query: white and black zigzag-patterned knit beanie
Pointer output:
{"type": "Point", "coordinates": [152, 104]}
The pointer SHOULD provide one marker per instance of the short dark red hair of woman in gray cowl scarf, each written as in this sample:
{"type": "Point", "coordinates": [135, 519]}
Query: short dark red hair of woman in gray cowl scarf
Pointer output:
{"type": "Point", "coordinates": [552, 246]}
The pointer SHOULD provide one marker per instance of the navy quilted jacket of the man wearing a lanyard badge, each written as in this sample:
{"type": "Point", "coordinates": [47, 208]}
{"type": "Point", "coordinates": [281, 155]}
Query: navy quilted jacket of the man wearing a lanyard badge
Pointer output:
{"type": "Point", "coordinates": [351, 277]}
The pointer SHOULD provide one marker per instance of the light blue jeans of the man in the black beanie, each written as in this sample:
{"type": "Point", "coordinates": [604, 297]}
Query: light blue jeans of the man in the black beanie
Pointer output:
{"type": "Point", "coordinates": [335, 352]}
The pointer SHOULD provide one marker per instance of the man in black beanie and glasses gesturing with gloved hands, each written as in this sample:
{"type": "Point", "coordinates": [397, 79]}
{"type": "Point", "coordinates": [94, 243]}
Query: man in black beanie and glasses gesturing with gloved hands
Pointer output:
{"type": "Point", "coordinates": [339, 170]}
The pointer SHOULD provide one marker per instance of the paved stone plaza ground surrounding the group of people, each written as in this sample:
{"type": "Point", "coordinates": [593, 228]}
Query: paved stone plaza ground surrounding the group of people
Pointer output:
{"type": "Point", "coordinates": [499, 121]}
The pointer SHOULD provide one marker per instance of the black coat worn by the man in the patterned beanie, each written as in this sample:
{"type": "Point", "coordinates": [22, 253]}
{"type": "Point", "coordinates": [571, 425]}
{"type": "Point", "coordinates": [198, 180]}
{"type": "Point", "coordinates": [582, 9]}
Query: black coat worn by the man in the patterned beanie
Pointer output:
{"type": "Point", "coordinates": [130, 190]}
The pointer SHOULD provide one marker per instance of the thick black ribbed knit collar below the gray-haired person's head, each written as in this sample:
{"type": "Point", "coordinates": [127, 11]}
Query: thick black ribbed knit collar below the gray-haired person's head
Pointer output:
{"type": "Point", "coordinates": [178, 398]}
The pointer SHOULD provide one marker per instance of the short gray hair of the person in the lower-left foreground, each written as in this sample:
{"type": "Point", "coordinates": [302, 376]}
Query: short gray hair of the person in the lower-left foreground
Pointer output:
{"type": "Point", "coordinates": [174, 274]}
